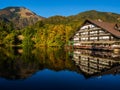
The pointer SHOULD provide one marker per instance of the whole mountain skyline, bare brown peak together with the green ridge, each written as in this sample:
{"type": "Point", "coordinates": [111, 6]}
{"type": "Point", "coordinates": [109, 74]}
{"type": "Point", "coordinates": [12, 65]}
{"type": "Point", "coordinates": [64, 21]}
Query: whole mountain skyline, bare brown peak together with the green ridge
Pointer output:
{"type": "Point", "coordinates": [22, 17]}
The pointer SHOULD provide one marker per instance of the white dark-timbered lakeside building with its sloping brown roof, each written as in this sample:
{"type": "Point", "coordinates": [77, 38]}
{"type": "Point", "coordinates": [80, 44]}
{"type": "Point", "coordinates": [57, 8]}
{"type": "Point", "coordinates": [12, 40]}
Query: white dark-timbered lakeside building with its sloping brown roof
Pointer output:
{"type": "Point", "coordinates": [97, 35]}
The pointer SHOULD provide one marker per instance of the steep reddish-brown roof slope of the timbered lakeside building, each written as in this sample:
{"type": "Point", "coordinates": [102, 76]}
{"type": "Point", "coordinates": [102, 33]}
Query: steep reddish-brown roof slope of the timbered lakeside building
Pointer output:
{"type": "Point", "coordinates": [110, 27]}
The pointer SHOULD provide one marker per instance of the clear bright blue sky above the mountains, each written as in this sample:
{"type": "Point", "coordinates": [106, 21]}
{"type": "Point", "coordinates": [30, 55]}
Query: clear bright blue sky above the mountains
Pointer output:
{"type": "Point", "coordinates": [48, 8]}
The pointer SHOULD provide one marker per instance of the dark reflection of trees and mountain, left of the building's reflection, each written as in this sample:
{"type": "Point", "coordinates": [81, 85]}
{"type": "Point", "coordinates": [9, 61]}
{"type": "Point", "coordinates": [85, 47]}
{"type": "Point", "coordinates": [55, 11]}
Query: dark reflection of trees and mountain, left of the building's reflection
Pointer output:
{"type": "Point", "coordinates": [18, 63]}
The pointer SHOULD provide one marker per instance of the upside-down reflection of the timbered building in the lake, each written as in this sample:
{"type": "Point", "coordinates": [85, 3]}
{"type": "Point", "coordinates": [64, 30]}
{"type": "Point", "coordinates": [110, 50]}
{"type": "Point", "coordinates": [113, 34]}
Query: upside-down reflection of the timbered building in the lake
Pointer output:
{"type": "Point", "coordinates": [97, 63]}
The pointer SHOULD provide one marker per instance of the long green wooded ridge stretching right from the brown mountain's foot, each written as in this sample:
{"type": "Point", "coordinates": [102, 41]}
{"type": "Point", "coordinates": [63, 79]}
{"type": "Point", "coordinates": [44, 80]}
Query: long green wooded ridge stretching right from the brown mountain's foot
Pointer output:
{"type": "Point", "coordinates": [79, 18]}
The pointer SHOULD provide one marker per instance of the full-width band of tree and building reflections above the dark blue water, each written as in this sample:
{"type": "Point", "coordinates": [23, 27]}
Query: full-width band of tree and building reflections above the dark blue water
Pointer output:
{"type": "Point", "coordinates": [18, 63]}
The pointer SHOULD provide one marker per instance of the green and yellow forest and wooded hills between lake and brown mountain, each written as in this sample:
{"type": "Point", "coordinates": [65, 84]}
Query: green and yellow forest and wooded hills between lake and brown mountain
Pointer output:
{"type": "Point", "coordinates": [52, 31]}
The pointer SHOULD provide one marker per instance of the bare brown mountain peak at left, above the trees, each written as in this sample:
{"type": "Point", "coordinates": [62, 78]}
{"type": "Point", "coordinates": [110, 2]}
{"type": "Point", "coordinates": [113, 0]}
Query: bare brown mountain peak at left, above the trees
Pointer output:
{"type": "Point", "coordinates": [20, 16]}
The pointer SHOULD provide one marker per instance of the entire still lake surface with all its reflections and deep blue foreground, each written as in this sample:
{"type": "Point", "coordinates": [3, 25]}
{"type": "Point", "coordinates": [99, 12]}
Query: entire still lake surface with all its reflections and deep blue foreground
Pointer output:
{"type": "Point", "coordinates": [58, 69]}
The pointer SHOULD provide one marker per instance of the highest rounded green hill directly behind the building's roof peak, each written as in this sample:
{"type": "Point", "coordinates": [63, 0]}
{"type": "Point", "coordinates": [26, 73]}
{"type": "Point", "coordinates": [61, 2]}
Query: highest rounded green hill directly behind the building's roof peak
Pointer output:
{"type": "Point", "coordinates": [95, 15]}
